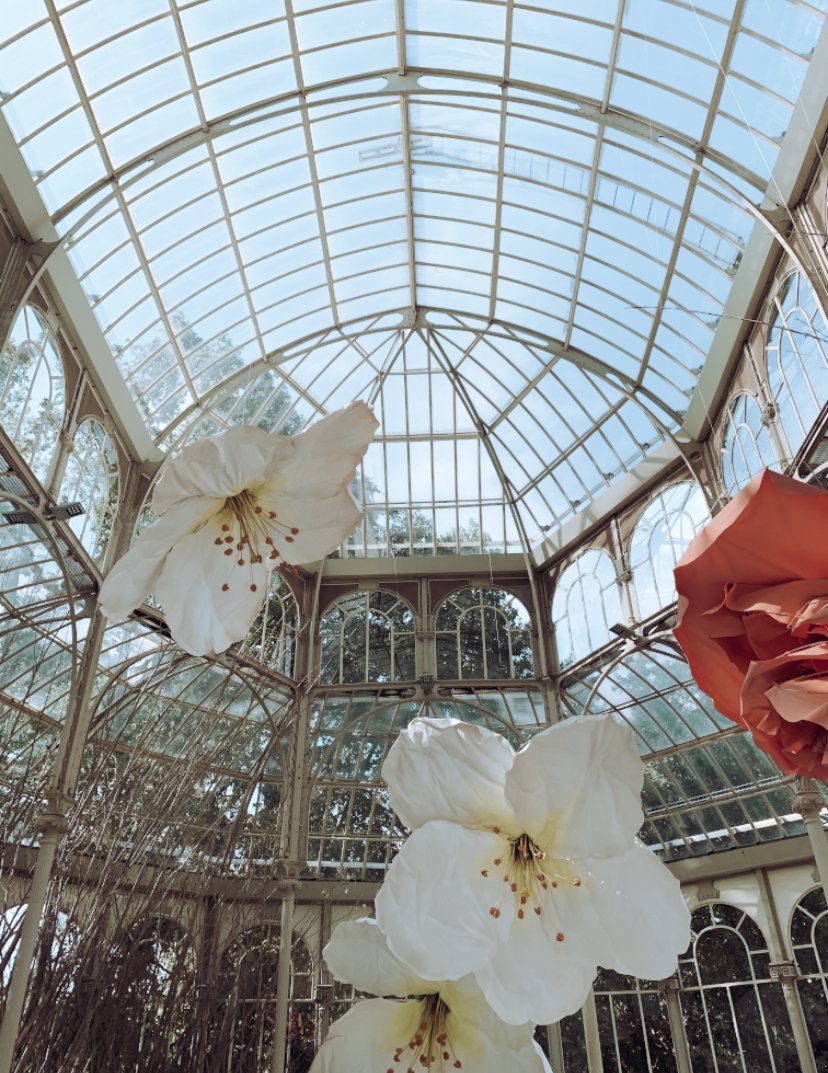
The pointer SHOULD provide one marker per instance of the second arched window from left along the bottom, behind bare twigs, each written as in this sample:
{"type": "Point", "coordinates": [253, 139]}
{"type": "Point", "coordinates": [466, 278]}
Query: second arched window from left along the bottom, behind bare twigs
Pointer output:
{"type": "Point", "coordinates": [150, 992]}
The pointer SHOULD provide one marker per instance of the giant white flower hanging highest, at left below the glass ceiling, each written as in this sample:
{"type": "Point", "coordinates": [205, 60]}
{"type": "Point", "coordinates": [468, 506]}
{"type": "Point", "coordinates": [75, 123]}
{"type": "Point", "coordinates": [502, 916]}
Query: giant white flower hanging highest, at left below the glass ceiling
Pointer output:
{"type": "Point", "coordinates": [231, 508]}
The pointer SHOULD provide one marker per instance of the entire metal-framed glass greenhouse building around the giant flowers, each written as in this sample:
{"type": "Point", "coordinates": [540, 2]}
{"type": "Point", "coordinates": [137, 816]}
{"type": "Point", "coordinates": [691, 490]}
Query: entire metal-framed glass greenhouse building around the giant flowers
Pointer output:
{"type": "Point", "coordinates": [572, 256]}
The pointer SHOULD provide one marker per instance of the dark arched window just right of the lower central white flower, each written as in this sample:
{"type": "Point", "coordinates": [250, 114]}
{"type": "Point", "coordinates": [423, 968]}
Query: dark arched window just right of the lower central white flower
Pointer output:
{"type": "Point", "coordinates": [735, 1015]}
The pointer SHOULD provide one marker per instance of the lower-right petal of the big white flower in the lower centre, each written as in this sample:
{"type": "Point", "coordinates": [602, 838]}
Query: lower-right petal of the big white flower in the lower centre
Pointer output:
{"type": "Point", "coordinates": [642, 922]}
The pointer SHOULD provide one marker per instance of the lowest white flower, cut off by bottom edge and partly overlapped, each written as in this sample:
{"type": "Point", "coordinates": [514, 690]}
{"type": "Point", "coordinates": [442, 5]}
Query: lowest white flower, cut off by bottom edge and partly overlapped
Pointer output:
{"type": "Point", "coordinates": [439, 1027]}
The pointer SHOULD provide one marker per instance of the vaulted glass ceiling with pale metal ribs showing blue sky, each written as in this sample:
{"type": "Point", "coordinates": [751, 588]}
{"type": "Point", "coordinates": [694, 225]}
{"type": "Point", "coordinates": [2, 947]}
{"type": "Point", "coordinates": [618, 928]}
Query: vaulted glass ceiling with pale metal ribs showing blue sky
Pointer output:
{"type": "Point", "coordinates": [498, 221]}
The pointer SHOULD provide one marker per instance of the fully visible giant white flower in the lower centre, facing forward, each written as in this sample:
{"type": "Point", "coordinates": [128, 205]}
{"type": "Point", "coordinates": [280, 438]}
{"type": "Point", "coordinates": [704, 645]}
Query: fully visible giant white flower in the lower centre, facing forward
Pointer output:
{"type": "Point", "coordinates": [524, 869]}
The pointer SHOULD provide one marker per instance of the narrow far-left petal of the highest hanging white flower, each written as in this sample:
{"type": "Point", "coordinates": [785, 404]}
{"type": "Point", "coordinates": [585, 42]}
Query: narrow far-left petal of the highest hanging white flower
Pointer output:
{"type": "Point", "coordinates": [135, 576]}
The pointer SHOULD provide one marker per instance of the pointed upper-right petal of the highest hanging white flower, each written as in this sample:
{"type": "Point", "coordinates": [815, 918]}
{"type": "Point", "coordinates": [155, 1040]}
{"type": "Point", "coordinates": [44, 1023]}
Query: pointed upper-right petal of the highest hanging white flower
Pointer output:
{"type": "Point", "coordinates": [327, 454]}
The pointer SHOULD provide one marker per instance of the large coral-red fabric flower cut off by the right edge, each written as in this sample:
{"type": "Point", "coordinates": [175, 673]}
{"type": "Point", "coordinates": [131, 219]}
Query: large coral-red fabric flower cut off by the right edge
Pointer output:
{"type": "Point", "coordinates": [753, 619]}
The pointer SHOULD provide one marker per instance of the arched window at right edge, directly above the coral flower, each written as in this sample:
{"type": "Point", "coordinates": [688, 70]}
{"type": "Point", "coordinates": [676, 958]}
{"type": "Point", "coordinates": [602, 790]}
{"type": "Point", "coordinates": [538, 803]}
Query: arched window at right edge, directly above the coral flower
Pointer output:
{"type": "Point", "coordinates": [797, 356]}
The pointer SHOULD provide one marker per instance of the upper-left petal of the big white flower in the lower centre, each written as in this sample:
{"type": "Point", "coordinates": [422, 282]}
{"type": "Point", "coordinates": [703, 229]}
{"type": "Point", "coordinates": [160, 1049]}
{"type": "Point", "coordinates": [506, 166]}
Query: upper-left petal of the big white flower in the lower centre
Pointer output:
{"type": "Point", "coordinates": [447, 770]}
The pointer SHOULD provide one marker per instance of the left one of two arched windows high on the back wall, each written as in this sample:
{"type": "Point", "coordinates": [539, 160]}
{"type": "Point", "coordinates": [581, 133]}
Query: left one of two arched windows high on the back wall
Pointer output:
{"type": "Point", "coordinates": [368, 637]}
